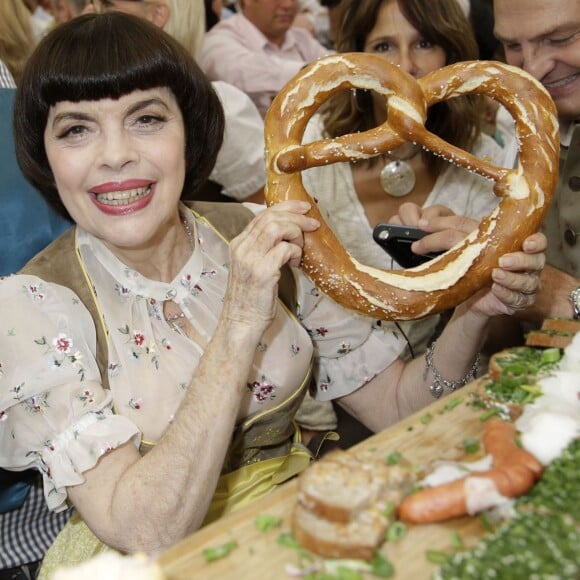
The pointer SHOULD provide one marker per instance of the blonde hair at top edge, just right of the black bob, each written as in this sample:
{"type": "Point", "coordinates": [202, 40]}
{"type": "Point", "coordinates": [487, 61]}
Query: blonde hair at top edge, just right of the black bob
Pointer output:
{"type": "Point", "coordinates": [186, 23]}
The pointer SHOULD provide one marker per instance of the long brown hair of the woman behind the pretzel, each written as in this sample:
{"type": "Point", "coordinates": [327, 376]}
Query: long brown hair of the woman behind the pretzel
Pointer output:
{"type": "Point", "coordinates": [443, 23]}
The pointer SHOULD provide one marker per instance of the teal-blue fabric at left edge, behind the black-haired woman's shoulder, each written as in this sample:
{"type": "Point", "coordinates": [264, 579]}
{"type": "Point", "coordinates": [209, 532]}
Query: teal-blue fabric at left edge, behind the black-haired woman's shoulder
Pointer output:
{"type": "Point", "coordinates": [27, 222]}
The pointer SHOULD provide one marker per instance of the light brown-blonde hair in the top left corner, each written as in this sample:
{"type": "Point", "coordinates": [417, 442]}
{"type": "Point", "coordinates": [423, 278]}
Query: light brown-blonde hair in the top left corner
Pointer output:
{"type": "Point", "coordinates": [16, 37]}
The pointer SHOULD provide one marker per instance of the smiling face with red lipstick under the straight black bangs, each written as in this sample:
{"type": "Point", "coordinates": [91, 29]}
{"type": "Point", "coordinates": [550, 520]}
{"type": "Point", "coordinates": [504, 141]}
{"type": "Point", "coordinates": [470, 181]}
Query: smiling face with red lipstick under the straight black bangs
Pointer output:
{"type": "Point", "coordinates": [119, 165]}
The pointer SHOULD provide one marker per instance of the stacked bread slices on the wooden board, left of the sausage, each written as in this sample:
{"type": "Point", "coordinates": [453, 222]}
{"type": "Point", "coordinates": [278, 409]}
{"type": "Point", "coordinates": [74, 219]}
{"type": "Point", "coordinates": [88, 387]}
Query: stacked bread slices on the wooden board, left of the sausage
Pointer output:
{"type": "Point", "coordinates": [343, 500]}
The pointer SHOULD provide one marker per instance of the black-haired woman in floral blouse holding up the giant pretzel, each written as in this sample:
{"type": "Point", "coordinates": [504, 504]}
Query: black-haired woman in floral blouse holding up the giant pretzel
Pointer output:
{"type": "Point", "coordinates": [148, 368]}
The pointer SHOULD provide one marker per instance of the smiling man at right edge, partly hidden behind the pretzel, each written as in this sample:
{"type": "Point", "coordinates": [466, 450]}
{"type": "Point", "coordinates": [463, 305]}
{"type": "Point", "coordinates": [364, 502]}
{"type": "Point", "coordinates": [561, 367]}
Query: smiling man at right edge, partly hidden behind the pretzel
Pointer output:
{"type": "Point", "coordinates": [543, 38]}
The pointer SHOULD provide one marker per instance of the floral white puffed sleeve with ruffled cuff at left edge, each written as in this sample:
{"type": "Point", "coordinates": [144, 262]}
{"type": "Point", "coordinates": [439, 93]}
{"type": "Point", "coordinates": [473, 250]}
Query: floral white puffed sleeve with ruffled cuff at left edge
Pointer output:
{"type": "Point", "coordinates": [55, 415]}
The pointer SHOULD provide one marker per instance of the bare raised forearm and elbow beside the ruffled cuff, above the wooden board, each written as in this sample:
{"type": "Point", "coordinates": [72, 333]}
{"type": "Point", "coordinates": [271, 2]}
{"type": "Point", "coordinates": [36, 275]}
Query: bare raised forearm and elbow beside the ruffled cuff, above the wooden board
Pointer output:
{"type": "Point", "coordinates": [147, 503]}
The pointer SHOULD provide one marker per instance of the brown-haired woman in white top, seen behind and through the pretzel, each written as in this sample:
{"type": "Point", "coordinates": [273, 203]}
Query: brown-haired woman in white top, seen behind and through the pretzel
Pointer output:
{"type": "Point", "coordinates": [419, 36]}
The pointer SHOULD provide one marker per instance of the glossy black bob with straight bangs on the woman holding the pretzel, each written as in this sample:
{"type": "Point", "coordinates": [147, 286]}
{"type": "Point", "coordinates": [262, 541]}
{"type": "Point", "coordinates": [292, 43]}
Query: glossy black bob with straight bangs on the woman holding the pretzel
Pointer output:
{"type": "Point", "coordinates": [107, 56]}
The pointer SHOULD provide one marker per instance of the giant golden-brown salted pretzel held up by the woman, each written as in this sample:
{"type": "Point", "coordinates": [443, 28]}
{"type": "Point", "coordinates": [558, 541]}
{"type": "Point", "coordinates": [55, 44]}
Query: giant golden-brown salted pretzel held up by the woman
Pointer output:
{"type": "Point", "coordinates": [451, 278]}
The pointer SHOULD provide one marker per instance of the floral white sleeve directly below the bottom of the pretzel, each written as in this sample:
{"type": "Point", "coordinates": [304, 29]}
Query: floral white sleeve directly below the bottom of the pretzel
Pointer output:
{"type": "Point", "coordinates": [349, 349]}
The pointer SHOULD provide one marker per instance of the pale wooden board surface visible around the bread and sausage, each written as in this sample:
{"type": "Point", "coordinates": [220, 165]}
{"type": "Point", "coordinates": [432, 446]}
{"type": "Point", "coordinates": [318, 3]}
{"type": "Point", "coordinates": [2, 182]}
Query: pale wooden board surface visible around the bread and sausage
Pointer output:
{"type": "Point", "coordinates": [258, 554]}
